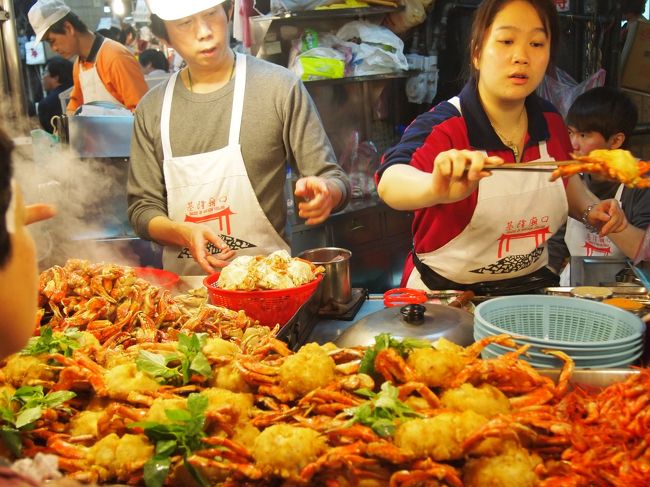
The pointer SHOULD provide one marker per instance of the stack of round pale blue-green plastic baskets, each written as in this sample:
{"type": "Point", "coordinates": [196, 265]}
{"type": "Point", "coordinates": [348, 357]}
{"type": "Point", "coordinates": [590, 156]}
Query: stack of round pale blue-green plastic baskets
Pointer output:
{"type": "Point", "coordinates": [593, 334]}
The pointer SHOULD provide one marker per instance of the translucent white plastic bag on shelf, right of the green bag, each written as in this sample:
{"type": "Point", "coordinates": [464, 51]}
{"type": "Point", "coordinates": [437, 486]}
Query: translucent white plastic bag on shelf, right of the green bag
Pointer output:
{"type": "Point", "coordinates": [376, 49]}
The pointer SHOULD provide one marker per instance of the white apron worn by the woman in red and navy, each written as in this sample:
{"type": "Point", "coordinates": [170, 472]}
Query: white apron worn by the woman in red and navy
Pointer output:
{"type": "Point", "coordinates": [494, 246]}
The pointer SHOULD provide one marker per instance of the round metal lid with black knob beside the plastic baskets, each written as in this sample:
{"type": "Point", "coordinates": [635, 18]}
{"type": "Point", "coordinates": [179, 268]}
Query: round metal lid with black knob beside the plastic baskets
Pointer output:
{"type": "Point", "coordinates": [438, 321]}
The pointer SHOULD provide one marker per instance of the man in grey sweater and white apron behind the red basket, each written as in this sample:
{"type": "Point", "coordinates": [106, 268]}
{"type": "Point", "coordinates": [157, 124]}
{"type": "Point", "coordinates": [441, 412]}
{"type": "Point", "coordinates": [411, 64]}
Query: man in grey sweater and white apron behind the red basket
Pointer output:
{"type": "Point", "coordinates": [211, 146]}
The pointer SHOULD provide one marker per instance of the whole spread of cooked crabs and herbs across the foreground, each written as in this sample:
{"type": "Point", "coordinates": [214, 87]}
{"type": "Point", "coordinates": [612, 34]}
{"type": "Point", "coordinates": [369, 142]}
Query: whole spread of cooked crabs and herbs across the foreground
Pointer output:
{"type": "Point", "coordinates": [207, 405]}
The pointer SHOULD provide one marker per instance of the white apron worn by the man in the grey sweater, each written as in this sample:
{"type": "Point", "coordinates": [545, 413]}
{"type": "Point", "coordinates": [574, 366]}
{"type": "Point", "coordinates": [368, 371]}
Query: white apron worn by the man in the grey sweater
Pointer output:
{"type": "Point", "coordinates": [213, 188]}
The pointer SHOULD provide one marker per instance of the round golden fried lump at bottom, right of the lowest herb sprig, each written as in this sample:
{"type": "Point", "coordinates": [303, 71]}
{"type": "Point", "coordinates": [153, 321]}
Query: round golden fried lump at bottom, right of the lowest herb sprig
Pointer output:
{"type": "Point", "coordinates": [285, 450]}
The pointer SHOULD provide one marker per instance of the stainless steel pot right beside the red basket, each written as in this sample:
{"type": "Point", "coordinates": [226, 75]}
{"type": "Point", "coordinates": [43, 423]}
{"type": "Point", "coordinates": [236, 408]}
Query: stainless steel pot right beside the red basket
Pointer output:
{"type": "Point", "coordinates": [336, 284]}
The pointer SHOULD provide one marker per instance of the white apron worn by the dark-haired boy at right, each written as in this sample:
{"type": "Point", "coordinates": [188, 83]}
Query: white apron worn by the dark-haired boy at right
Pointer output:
{"type": "Point", "coordinates": [582, 242]}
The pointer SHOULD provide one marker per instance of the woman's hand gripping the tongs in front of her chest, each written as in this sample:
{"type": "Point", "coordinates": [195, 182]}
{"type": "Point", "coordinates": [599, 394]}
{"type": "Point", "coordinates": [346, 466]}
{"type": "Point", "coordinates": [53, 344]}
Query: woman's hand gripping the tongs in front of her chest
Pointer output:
{"type": "Point", "coordinates": [456, 173]}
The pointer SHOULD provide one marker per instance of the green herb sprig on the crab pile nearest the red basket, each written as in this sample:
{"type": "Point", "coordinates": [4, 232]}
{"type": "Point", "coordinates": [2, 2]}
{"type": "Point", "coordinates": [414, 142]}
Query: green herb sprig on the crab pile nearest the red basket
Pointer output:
{"type": "Point", "coordinates": [177, 368]}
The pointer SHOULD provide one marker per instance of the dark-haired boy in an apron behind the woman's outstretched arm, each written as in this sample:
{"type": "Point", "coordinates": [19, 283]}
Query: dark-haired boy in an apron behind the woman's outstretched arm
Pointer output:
{"type": "Point", "coordinates": [602, 118]}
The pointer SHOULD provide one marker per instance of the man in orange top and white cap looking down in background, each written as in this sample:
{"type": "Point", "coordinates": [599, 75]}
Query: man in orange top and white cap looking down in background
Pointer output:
{"type": "Point", "coordinates": [104, 71]}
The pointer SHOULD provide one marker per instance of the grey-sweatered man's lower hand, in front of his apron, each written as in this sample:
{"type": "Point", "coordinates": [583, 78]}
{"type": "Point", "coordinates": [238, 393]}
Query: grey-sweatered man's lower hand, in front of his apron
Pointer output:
{"type": "Point", "coordinates": [198, 238]}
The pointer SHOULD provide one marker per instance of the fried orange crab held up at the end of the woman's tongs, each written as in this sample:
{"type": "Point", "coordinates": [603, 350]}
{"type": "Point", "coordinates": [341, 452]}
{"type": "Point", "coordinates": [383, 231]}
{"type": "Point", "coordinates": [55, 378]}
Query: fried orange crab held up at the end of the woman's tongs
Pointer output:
{"type": "Point", "coordinates": [616, 164]}
